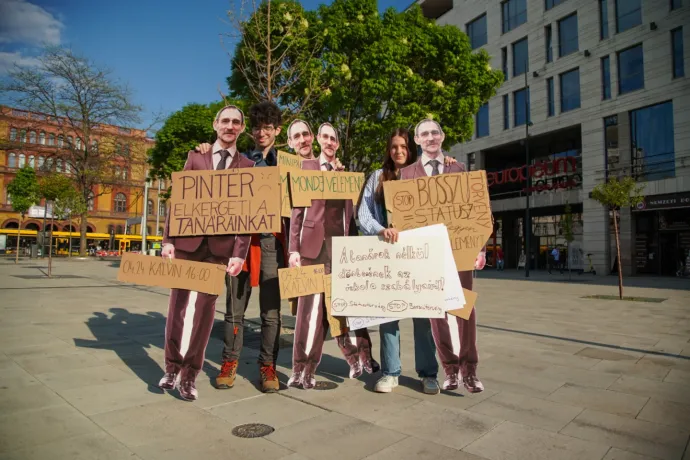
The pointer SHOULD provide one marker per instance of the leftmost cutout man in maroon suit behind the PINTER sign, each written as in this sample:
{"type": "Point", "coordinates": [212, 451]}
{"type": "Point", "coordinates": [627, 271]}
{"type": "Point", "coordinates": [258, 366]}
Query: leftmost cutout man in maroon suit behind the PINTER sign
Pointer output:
{"type": "Point", "coordinates": [184, 358]}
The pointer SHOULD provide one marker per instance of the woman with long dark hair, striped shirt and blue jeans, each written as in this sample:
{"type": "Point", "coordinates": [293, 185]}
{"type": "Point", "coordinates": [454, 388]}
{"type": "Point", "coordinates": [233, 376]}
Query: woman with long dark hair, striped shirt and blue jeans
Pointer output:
{"type": "Point", "coordinates": [373, 221]}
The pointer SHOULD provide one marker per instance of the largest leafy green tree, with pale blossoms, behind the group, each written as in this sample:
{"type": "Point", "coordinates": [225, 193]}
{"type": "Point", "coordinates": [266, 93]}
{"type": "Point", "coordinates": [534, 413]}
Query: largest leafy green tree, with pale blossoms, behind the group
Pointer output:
{"type": "Point", "coordinates": [380, 72]}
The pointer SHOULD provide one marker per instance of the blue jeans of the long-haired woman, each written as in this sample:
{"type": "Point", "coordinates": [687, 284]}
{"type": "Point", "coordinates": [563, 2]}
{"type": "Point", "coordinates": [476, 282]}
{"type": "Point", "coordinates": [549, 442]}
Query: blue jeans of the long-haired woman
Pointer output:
{"type": "Point", "coordinates": [424, 348]}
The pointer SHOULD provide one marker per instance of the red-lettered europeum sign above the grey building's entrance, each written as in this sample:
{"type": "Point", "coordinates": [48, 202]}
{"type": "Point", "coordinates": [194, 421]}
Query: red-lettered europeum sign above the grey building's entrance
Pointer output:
{"type": "Point", "coordinates": [546, 175]}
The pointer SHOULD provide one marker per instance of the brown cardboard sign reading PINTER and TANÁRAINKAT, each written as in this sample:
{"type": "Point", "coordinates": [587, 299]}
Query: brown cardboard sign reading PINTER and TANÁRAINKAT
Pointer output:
{"type": "Point", "coordinates": [229, 201]}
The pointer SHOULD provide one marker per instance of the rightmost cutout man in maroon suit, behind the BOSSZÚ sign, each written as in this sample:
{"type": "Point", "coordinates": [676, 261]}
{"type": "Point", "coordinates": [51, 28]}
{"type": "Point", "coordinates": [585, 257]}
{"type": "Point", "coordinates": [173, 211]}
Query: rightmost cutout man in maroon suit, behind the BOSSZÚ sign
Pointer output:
{"type": "Point", "coordinates": [449, 332]}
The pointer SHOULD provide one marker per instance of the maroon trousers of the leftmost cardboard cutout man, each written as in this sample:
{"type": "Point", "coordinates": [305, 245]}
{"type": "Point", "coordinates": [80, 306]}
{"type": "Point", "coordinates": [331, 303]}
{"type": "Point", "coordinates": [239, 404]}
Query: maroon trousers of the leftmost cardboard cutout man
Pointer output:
{"type": "Point", "coordinates": [185, 344]}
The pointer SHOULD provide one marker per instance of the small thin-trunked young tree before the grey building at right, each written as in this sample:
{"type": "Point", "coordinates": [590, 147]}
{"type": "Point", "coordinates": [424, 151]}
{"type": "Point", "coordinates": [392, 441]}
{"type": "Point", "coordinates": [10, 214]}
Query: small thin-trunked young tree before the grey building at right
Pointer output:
{"type": "Point", "coordinates": [616, 194]}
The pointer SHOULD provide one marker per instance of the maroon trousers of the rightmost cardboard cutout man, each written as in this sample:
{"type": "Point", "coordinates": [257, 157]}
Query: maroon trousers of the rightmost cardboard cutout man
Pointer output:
{"type": "Point", "coordinates": [456, 338]}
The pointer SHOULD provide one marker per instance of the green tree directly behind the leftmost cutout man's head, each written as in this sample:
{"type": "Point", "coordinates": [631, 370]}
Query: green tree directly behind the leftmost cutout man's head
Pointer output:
{"type": "Point", "coordinates": [184, 130]}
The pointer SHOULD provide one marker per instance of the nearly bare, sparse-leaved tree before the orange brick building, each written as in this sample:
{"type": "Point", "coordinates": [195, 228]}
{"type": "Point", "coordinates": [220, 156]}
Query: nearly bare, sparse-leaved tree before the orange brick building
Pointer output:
{"type": "Point", "coordinates": [78, 99]}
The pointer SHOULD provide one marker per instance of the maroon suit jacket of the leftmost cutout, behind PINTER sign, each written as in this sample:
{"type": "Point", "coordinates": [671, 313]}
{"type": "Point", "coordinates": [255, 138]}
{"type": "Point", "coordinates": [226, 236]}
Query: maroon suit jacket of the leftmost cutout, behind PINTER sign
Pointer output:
{"type": "Point", "coordinates": [225, 246]}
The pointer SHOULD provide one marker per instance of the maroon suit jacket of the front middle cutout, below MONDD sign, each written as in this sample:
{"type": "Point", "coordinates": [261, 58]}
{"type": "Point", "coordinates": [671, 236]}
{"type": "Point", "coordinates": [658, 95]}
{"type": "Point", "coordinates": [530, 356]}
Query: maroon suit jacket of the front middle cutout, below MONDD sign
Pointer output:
{"type": "Point", "coordinates": [307, 224]}
